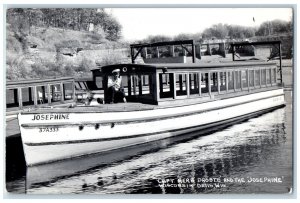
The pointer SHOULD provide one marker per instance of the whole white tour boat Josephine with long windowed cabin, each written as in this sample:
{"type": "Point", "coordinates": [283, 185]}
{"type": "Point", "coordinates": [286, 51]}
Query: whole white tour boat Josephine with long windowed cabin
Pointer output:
{"type": "Point", "coordinates": [163, 101]}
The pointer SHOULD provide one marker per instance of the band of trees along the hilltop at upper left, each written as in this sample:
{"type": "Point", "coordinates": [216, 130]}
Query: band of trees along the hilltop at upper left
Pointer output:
{"type": "Point", "coordinates": [81, 19]}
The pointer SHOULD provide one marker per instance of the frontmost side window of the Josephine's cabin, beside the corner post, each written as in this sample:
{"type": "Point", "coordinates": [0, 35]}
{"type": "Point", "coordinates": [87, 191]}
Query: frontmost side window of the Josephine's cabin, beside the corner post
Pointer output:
{"type": "Point", "coordinates": [165, 87]}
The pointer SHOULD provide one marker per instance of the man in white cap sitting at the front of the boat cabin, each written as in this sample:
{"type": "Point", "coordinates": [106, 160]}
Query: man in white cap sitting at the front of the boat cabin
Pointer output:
{"type": "Point", "coordinates": [115, 92]}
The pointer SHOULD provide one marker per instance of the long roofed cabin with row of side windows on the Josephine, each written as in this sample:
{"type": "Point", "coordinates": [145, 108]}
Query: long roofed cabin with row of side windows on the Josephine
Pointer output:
{"type": "Point", "coordinates": [168, 84]}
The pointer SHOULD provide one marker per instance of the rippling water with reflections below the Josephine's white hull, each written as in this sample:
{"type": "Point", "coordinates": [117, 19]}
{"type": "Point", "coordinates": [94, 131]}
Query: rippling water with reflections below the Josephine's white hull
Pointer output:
{"type": "Point", "coordinates": [256, 148]}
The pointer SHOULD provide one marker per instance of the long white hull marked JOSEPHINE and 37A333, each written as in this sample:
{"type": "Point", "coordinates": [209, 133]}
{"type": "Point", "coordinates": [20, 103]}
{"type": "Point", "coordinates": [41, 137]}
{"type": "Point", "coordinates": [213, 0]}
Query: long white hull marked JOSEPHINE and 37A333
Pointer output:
{"type": "Point", "coordinates": [47, 140]}
